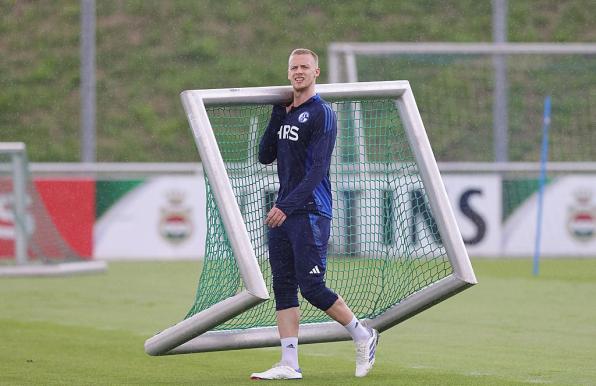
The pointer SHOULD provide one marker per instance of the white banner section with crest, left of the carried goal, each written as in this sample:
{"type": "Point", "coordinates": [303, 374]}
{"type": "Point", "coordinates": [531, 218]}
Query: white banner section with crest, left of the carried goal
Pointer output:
{"type": "Point", "coordinates": [164, 218]}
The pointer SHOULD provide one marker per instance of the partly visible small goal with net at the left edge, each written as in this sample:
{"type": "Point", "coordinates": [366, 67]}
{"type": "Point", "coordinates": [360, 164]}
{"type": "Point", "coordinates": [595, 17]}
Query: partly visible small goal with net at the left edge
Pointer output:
{"type": "Point", "coordinates": [30, 243]}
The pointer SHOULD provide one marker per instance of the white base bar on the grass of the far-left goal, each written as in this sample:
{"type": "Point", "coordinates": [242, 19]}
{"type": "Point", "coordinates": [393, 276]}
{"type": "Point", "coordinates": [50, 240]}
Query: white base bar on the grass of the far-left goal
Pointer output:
{"type": "Point", "coordinates": [58, 269]}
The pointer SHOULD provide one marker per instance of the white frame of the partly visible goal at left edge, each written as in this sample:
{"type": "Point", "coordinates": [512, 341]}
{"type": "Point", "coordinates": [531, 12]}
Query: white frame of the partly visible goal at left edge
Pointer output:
{"type": "Point", "coordinates": [19, 171]}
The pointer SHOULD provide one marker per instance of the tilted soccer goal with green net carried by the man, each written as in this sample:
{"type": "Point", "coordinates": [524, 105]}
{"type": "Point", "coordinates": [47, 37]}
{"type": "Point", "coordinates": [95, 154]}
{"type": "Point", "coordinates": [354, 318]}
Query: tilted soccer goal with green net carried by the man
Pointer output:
{"type": "Point", "coordinates": [395, 248]}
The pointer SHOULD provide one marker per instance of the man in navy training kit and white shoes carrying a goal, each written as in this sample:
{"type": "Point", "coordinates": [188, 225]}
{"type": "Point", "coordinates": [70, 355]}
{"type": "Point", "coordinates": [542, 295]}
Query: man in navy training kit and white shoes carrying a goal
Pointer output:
{"type": "Point", "coordinates": [301, 137]}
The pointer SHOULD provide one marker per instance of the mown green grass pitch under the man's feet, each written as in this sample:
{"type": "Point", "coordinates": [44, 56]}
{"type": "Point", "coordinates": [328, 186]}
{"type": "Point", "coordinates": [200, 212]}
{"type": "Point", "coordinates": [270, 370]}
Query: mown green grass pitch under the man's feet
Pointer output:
{"type": "Point", "coordinates": [512, 328]}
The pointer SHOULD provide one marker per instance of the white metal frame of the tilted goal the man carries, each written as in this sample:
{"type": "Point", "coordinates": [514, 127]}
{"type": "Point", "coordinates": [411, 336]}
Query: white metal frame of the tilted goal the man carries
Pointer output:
{"type": "Point", "coordinates": [193, 335]}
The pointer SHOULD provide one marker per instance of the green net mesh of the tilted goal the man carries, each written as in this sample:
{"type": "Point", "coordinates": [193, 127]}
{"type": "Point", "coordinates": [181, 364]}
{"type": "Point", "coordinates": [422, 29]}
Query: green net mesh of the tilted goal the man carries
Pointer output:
{"type": "Point", "coordinates": [384, 245]}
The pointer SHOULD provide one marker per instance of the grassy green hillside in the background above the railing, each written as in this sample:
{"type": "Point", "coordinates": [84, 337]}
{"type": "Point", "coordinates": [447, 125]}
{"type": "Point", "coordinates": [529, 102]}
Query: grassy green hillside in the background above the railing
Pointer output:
{"type": "Point", "coordinates": [149, 51]}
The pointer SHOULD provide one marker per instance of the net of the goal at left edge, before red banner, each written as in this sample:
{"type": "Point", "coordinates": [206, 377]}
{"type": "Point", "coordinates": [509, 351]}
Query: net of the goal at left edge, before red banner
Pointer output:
{"type": "Point", "coordinates": [45, 244]}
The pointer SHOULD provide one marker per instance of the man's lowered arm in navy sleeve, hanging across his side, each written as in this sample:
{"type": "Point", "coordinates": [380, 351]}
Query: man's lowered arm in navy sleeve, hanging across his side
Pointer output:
{"type": "Point", "coordinates": [321, 148]}
